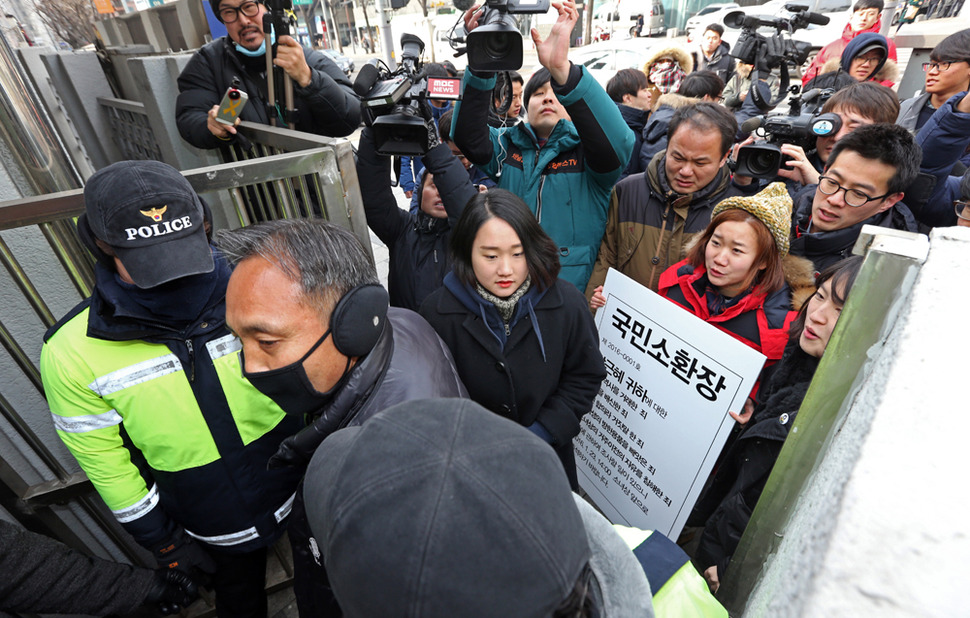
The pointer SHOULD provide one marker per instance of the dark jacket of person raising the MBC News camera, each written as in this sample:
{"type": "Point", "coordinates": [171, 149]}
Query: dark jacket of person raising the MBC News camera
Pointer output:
{"type": "Point", "coordinates": [418, 243]}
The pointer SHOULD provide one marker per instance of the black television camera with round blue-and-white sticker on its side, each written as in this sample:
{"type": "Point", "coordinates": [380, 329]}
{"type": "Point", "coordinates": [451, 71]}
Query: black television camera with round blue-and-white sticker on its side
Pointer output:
{"type": "Point", "coordinates": [798, 127]}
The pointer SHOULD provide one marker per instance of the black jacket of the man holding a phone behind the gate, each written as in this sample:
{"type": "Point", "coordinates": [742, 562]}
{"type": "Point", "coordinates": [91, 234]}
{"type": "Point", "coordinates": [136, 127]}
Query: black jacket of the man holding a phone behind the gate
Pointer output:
{"type": "Point", "coordinates": [327, 106]}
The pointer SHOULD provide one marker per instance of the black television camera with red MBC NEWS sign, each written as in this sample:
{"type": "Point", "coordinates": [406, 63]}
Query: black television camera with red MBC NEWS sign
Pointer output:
{"type": "Point", "coordinates": [394, 103]}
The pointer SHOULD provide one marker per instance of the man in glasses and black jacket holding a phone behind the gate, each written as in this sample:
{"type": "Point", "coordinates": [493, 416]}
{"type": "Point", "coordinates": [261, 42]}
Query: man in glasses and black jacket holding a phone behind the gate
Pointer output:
{"type": "Point", "coordinates": [323, 96]}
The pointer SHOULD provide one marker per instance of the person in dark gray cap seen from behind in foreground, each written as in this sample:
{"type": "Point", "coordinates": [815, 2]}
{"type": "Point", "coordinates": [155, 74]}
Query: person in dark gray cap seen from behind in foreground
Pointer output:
{"type": "Point", "coordinates": [439, 508]}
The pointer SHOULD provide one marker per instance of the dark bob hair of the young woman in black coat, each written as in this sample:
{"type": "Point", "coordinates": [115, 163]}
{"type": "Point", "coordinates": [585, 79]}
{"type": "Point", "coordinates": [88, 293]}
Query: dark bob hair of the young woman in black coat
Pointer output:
{"type": "Point", "coordinates": [541, 252]}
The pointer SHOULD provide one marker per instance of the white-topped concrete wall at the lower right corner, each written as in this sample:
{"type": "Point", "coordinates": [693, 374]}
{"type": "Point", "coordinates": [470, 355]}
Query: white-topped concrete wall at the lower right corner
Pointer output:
{"type": "Point", "coordinates": [881, 529]}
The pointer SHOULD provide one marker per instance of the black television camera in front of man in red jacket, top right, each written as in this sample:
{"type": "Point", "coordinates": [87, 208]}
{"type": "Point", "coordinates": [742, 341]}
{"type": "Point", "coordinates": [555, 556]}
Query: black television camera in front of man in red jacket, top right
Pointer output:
{"type": "Point", "coordinates": [767, 53]}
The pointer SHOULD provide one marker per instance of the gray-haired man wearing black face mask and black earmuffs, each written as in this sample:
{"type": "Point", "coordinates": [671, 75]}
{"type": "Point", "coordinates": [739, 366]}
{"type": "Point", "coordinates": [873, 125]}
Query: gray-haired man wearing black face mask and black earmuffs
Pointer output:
{"type": "Point", "coordinates": [319, 339]}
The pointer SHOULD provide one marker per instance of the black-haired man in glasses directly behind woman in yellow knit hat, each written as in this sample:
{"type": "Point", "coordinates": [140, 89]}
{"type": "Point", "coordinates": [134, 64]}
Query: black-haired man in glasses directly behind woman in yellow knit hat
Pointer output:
{"type": "Point", "coordinates": [863, 183]}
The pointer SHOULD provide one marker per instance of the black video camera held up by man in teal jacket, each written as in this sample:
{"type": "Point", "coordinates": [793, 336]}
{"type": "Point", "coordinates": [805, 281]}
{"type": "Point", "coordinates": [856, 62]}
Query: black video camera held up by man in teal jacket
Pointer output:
{"type": "Point", "coordinates": [496, 43]}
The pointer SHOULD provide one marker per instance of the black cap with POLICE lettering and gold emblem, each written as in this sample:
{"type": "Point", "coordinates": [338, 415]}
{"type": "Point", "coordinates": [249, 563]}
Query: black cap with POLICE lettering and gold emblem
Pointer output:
{"type": "Point", "coordinates": [152, 218]}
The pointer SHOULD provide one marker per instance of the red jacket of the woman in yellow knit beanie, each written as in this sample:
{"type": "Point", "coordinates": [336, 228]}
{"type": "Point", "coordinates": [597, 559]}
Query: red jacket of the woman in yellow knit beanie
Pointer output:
{"type": "Point", "coordinates": [759, 321]}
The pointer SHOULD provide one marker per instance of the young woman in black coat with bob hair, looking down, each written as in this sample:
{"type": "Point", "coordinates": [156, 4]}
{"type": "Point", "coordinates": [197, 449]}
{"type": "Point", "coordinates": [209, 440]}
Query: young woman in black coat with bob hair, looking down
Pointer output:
{"type": "Point", "coordinates": [523, 341]}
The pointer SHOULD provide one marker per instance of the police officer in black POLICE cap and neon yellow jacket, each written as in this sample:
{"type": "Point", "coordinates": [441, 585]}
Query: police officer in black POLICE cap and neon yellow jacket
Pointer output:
{"type": "Point", "coordinates": [145, 389]}
